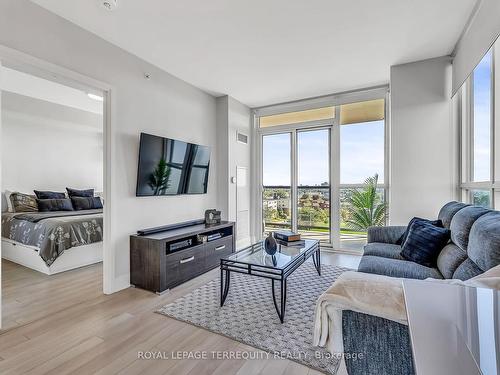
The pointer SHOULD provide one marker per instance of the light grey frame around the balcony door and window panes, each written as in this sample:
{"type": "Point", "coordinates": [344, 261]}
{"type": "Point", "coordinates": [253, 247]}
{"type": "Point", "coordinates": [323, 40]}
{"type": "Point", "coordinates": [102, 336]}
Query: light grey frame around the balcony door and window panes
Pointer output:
{"type": "Point", "coordinates": [381, 92]}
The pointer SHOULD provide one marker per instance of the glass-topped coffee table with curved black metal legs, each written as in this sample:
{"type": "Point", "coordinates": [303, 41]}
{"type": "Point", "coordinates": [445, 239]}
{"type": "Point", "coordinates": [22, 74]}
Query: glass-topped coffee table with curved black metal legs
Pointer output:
{"type": "Point", "coordinates": [254, 261]}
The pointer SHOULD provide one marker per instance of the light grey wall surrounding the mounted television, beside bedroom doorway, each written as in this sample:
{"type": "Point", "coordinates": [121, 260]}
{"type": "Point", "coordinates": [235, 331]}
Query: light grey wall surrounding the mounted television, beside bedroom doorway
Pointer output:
{"type": "Point", "coordinates": [163, 105]}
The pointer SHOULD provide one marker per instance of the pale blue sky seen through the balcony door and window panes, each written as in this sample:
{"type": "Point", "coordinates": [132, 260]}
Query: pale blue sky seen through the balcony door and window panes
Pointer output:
{"type": "Point", "coordinates": [361, 155]}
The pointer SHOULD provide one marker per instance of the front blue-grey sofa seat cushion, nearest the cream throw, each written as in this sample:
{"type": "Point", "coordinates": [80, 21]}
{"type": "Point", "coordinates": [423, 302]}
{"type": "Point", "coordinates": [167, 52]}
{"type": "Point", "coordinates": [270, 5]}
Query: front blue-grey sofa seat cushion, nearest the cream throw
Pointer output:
{"type": "Point", "coordinates": [396, 268]}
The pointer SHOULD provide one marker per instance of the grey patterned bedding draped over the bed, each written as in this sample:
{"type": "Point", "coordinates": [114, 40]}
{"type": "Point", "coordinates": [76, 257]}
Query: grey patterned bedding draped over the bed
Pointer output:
{"type": "Point", "coordinates": [53, 232]}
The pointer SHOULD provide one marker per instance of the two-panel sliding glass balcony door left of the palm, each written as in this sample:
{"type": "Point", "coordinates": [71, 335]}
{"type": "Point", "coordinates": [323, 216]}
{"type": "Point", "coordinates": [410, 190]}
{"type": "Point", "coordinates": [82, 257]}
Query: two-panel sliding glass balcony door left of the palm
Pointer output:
{"type": "Point", "coordinates": [296, 182]}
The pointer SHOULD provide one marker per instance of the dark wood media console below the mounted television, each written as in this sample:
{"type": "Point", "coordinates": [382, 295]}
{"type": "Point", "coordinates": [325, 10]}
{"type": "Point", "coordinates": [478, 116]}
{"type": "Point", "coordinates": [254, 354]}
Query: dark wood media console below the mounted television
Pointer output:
{"type": "Point", "coordinates": [164, 259]}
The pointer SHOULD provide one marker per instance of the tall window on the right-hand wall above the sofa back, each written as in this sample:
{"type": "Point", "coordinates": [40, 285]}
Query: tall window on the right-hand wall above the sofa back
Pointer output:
{"type": "Point", "coordinates": [476, 98]}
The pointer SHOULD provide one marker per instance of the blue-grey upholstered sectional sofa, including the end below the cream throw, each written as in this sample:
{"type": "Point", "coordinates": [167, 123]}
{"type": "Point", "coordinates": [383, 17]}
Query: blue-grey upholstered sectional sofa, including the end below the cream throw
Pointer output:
{"type": "Point", "coordinates": [474, 248]}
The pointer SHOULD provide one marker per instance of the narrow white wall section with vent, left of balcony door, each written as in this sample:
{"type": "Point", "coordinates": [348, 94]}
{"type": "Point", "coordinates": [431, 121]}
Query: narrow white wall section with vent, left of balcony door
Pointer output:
{"type": "Point", "coordinates": [235, 197]}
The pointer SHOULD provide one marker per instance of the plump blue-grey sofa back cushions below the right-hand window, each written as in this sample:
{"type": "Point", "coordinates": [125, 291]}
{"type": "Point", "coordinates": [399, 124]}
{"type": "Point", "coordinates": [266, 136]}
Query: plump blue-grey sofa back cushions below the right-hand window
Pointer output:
{"type": "Point", "coordinates": [475, 240]}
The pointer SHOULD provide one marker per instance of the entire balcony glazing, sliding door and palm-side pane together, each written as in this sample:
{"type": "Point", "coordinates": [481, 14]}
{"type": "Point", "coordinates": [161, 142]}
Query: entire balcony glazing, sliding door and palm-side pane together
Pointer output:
{"type": "Point", "coordinates": [323, 172]}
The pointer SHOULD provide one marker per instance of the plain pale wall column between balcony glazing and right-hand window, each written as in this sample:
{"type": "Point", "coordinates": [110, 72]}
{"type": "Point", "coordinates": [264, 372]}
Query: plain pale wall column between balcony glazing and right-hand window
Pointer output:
{"type": "Point", "coordinates": [423, 143]}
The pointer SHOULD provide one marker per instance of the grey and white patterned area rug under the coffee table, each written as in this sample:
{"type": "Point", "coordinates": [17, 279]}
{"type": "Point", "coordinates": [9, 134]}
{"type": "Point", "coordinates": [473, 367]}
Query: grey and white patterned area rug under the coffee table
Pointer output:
{"type": "Point", "coordinates": [248, 315]}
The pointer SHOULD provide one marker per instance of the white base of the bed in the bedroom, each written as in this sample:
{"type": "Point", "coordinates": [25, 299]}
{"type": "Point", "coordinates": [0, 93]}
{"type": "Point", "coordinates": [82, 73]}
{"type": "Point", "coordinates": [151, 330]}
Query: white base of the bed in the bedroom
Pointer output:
{"type": "Point", "coordinates": [75, 257]}
